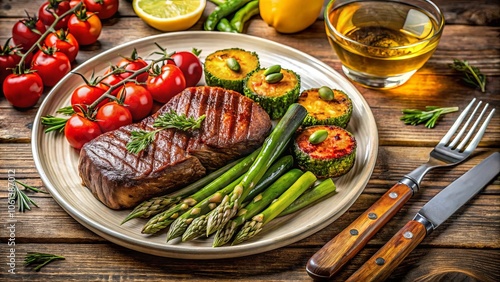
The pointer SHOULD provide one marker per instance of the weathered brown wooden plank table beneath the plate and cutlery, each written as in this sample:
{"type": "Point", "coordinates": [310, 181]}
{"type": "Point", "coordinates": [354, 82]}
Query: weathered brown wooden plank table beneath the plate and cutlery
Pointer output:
{"type": "Point", "coordinates": [464, 248]}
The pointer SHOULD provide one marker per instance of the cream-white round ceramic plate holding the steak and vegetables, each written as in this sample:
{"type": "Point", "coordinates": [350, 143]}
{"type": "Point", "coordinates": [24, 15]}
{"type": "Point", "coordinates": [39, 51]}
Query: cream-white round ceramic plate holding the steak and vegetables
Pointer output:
{"type": "Point", "coordinates": [57, 162]}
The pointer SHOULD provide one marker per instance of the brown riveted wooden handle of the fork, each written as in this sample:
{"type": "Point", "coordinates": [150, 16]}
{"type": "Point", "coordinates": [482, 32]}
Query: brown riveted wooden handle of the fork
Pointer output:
{"type": "Point", "coordinates": [332, 256]}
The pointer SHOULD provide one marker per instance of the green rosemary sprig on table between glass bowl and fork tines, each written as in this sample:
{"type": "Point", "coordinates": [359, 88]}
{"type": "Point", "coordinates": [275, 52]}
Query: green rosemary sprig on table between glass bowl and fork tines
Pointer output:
{"type": "Point", "coordinates": [429, 116]}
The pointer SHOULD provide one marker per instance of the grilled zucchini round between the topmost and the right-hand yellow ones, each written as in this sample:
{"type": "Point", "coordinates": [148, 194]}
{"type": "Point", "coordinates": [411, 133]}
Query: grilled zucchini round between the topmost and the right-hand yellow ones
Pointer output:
{"type": "Point", "coordinates": [275, 95]}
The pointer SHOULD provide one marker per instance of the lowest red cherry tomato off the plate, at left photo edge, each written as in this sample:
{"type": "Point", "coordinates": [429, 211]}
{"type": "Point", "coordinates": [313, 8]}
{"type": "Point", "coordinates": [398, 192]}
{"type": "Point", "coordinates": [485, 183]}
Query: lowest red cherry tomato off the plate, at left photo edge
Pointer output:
{"type": "Point", "coordinates": [23, 90]}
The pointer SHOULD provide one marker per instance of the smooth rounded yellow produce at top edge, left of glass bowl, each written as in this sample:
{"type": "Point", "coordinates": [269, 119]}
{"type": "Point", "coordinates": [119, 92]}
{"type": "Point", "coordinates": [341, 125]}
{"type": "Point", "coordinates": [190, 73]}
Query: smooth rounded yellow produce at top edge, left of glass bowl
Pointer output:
{"type": "Point", "coordinates": [290, 16]}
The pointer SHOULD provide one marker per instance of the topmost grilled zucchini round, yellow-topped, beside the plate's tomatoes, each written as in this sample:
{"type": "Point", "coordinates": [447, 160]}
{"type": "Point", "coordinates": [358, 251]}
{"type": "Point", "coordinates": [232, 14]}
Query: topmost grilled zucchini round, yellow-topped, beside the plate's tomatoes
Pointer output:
{"type": "Point", "coordinates": [228, 68]}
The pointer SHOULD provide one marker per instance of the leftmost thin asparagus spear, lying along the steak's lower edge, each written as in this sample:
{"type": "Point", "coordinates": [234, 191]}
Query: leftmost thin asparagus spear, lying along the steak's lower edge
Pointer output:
{"type": "Point", "coordinates": [156, 205]}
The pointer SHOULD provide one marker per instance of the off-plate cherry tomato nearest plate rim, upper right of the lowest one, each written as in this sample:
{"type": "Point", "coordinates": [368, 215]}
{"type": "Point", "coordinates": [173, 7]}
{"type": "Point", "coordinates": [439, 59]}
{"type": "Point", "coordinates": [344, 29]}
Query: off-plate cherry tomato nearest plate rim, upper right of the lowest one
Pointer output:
{"type": "Point", "coordinates": [51, 65]}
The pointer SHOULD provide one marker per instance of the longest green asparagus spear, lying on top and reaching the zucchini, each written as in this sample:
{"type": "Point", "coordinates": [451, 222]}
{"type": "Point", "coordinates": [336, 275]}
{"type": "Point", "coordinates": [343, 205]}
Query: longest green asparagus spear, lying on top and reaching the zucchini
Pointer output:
{"type": "Point", "coordinates": [273, 146]}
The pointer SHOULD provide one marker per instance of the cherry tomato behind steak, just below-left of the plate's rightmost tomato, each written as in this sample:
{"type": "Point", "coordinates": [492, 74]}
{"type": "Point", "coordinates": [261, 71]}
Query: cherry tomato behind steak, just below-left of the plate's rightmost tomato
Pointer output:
{"type": "Point", "coordinates": [165, 83]}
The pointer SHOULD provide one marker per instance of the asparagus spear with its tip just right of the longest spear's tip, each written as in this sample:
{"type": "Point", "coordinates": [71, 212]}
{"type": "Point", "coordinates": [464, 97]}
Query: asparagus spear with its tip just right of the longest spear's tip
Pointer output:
{"type": "Point", "coordinates": [259, 202]}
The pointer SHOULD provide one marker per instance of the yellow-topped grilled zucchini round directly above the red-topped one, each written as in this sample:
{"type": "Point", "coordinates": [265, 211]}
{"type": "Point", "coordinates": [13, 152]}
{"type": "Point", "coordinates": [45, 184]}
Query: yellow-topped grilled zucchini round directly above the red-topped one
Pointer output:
{"type": "Point", "coordinates": [320, 111]}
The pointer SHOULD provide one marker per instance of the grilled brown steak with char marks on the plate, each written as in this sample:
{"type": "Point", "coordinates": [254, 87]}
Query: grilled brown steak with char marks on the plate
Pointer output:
{"type": "Point", "coordinates": [234, 126]}
